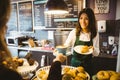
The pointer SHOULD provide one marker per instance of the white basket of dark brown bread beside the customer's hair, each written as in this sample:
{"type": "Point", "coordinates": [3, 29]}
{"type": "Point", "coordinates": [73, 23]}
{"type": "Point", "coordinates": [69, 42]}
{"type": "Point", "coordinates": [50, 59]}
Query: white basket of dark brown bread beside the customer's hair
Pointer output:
{"type": "Point", "coordinates": [25, 65]}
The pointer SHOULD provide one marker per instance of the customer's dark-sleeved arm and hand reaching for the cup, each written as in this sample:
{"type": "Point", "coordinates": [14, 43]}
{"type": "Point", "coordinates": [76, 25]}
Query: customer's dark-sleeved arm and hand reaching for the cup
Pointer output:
{"type": "Point", "coordinates": [56, 69]}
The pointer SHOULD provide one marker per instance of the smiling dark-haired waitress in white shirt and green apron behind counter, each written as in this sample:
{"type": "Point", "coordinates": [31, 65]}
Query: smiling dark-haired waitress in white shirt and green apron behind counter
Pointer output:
{"type": "Point", "coordinates": [84, 34]}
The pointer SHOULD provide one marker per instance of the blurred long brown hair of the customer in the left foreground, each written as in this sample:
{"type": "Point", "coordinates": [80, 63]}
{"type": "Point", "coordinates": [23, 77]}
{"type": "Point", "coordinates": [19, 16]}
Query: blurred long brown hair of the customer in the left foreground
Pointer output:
{"type": "Point", "coordinates": [5, 10]}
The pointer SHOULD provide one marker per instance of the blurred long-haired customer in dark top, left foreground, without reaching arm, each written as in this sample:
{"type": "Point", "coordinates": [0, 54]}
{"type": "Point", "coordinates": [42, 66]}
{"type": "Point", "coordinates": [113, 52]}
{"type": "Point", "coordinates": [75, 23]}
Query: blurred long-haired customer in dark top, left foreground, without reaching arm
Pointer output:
{"type": "Point", "coordinates": [7, 67]}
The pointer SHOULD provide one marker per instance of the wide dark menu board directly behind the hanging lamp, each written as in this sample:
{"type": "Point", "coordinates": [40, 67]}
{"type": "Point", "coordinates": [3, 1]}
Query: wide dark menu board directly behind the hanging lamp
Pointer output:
{"type": "Point", "coordinates": [59, 21]}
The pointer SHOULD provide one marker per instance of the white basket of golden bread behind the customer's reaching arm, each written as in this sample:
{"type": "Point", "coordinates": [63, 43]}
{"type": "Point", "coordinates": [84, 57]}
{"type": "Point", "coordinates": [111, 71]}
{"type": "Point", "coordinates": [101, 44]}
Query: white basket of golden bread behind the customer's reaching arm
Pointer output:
{"type": "Point", "coordinates": [68, 73]}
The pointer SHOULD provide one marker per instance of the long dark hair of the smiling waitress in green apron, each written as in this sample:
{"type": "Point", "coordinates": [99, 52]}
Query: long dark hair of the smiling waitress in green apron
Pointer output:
{"type": "Point", "coordinates": [92, 22]}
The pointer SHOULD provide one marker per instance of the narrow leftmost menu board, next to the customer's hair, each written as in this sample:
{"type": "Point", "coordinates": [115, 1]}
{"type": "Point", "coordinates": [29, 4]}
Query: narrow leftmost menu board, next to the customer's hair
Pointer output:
{"type": "Point", "coordinates": [12, 23]}
